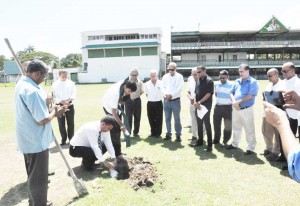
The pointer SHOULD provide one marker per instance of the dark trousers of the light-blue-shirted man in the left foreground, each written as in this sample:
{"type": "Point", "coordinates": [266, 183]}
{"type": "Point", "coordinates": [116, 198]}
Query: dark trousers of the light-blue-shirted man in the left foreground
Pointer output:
{"type": "Point", "coordinates": [37, 173]}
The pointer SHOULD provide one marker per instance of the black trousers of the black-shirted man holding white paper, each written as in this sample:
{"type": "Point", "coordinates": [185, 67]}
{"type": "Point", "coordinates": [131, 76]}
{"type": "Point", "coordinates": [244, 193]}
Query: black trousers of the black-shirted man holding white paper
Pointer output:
{"type": "Point", "coordinates": [206, 121]}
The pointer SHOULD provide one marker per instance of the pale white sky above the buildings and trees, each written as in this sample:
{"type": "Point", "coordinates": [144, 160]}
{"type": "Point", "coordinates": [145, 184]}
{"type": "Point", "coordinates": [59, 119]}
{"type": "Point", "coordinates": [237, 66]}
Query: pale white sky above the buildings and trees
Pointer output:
{"type": "Point", "coordinates": [55, 26]}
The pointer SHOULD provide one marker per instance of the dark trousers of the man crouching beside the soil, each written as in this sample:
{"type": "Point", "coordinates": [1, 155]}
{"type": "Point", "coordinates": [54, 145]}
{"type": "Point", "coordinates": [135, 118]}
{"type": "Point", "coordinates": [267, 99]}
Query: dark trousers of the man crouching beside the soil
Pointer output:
{"type": "Point", "coordinates": [87, 154]}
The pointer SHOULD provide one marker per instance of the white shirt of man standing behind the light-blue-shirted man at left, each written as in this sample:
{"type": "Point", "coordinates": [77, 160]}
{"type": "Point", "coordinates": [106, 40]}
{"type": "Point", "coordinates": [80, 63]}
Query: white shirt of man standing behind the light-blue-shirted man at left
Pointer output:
{"type": "Point", "coordinates": [64, 90]}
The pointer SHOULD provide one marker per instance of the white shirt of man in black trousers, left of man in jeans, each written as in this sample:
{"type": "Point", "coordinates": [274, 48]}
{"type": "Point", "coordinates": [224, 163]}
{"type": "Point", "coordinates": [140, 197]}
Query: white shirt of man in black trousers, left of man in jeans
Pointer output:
{"type": "Point", "coordinates": [154, 92]}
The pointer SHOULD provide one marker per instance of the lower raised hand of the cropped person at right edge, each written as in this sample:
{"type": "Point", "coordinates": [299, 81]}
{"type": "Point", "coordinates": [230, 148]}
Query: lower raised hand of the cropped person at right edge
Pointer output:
{"type": "Point", "coordinates": [275, 116]}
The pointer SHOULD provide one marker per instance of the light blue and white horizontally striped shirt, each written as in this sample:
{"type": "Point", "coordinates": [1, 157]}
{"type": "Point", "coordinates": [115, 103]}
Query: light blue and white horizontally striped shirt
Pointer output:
{"type": "Point", "coordinates": [222, 92]}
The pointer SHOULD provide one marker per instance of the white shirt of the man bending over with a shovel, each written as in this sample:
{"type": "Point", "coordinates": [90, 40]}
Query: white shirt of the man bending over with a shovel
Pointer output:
{"type": "Point", "coordinates": [110, 99]}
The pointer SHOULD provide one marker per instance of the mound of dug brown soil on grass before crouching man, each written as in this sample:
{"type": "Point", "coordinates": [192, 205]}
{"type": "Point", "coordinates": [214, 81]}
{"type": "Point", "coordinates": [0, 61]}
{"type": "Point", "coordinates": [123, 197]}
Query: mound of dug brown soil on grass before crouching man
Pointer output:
{"type": "Point", "coordinates": [139, 173]}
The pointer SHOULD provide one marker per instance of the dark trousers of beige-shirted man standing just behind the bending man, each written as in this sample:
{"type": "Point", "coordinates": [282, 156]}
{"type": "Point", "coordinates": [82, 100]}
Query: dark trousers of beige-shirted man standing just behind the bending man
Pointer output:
{"type": "Point", "coordinates": [134, 108]}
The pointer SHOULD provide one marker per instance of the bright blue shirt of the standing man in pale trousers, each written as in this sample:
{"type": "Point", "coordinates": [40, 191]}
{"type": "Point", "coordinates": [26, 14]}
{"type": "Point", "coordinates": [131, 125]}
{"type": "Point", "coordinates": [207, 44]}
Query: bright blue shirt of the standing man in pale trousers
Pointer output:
{"type": "Point", "coordinates": [241, 89]}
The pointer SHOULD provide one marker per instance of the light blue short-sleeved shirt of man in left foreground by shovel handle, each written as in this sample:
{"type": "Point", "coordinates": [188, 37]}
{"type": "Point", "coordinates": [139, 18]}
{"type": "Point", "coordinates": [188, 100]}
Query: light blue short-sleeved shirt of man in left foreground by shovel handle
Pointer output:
{"type": "Point", "coordinates": [31, 108]}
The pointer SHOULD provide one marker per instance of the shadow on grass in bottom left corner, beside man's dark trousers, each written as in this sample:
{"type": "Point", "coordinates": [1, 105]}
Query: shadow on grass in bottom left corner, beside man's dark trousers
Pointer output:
{"type": "Point", "coordinates": [15, 195]}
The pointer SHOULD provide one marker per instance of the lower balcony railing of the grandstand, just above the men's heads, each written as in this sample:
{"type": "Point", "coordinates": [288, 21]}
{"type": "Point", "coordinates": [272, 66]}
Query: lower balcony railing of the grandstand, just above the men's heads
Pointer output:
{"type": "Point", "coordinates": [260, 63]}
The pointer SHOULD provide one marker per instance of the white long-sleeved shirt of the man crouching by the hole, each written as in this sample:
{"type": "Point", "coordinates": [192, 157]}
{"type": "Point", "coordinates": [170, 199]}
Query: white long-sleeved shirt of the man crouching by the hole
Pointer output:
{"type": "Point", "coordinates": [87, 136]}
